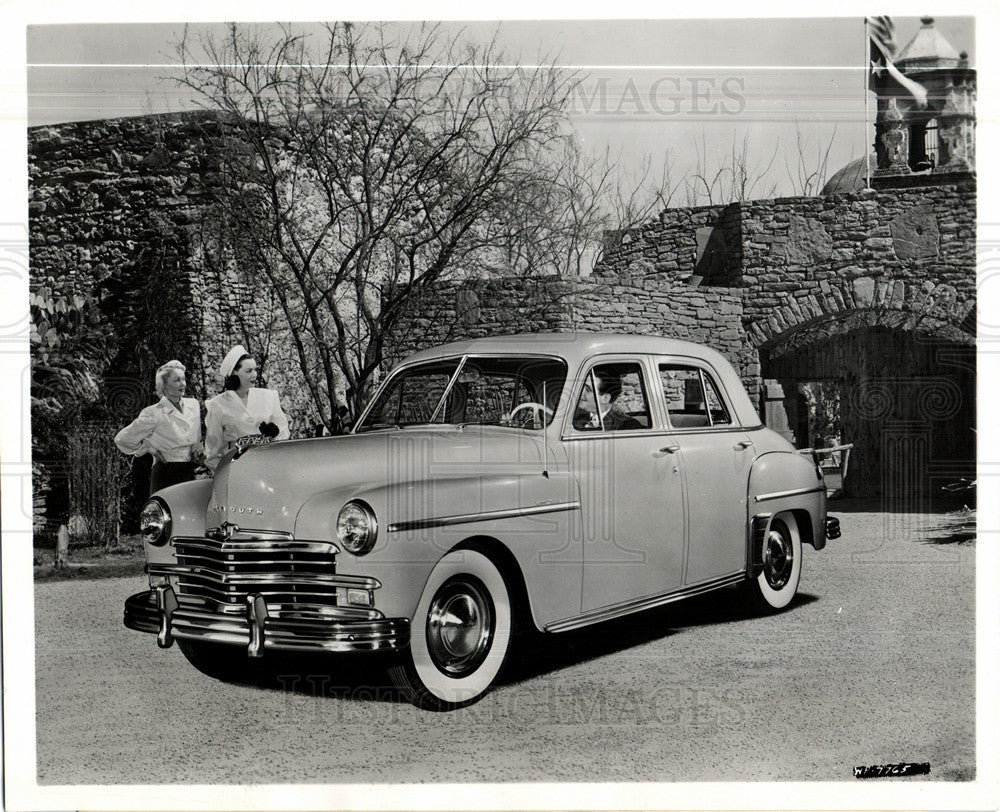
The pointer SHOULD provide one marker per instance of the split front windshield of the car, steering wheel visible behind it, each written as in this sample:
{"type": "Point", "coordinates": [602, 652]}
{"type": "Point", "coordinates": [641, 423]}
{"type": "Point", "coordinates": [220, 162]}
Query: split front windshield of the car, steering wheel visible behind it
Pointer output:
{"type": "Point", "coordinates": [501, 391]}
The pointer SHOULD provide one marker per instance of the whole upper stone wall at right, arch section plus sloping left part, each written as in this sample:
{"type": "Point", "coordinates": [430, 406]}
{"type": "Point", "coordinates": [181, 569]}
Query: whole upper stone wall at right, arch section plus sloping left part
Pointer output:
{"type": "Point", "coordinates": [807, 258]}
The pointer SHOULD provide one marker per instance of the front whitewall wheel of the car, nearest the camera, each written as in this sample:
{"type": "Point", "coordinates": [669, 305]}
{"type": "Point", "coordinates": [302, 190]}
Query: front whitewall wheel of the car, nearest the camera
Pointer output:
{"type": "Point", "coordinates": [459, 634]}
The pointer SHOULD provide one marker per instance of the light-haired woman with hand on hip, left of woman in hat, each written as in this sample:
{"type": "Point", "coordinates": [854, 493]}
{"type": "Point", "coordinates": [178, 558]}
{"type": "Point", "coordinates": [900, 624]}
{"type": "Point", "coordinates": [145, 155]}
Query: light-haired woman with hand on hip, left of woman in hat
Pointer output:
{"type": "Point", "coordinates": [169, 430]}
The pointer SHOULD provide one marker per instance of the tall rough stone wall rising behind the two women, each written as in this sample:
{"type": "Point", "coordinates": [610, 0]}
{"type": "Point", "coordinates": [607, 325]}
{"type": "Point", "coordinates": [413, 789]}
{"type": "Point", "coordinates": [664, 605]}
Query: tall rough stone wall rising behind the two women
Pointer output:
{"type": "Point", "coordinates": [116, 204]}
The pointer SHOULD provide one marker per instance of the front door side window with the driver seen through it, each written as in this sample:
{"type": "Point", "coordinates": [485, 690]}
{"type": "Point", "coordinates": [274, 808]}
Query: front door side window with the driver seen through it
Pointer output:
{"type": "Point", "coordinates": [613, 399]}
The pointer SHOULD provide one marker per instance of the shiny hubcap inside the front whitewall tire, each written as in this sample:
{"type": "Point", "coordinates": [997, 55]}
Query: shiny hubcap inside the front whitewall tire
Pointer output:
{"type": "Point", "coordinates": [460, 626]}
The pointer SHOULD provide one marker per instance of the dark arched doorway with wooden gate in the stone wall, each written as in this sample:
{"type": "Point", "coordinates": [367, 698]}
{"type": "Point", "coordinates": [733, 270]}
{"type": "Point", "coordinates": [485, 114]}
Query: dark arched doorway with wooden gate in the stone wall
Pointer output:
{"type": "Point", "coordinates": [903, 393]}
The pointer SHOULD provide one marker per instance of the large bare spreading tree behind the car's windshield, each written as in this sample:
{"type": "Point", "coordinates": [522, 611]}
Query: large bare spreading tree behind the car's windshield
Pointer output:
{"type": "Point", "coordinates": [359, 174]}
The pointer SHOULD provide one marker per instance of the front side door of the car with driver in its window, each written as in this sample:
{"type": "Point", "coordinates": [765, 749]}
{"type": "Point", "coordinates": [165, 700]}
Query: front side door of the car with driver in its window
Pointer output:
{"type": "Point", "coordinates": [630, 487]}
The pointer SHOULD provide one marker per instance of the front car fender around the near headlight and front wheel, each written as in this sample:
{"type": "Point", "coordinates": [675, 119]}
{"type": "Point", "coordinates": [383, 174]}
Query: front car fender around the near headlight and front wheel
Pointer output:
{"type": "Point", "coordinates": [531, 514]}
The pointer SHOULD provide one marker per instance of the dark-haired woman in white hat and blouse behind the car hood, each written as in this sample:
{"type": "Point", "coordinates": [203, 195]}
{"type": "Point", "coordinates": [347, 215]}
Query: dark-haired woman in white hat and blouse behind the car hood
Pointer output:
{"type": "Point", "coordinates": [242, 409]}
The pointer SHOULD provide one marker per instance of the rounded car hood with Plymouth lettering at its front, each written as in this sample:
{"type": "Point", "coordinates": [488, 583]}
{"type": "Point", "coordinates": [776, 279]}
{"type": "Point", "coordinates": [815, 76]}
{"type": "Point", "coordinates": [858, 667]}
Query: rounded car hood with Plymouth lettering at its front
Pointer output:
{"type": "Point", "coordinates": [266, 486]}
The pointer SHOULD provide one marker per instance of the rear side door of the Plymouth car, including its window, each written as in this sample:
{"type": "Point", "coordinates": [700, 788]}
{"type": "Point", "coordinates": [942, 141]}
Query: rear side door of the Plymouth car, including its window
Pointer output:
{"type": "Point", "coordinates": [715, 455]}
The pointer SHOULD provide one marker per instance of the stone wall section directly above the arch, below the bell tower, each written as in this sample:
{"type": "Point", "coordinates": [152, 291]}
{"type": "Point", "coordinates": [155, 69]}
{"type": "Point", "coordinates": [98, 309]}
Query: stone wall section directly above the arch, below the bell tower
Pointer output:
{"type": "Point", "coordinates": [907, 250]}
